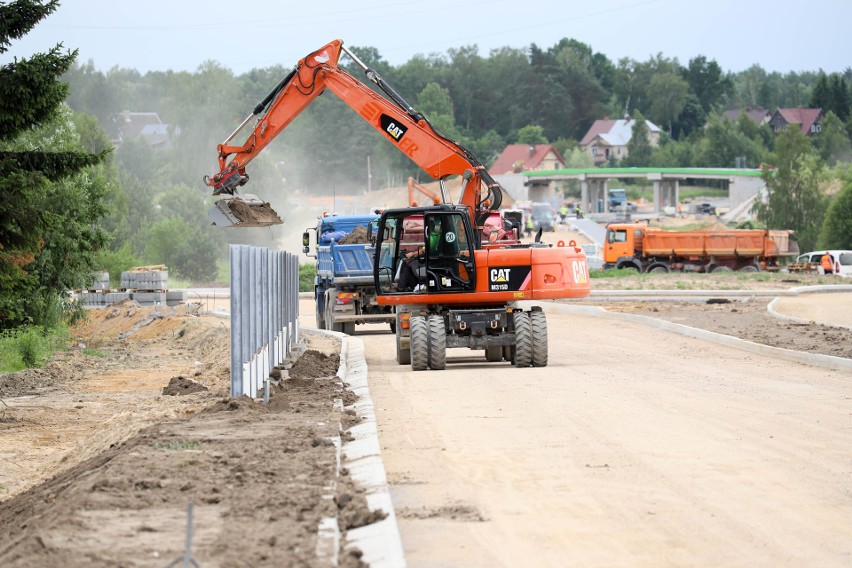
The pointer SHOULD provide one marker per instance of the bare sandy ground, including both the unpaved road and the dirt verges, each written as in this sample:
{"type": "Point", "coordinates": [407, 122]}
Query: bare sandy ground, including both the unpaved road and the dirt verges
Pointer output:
{"type": "Point", "coordinates": [634, 447]}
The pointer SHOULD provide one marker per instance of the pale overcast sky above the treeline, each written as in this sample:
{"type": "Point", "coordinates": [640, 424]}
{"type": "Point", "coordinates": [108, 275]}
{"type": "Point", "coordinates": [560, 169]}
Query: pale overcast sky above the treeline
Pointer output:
{"type": "Point", "coordinates": [780, 35]}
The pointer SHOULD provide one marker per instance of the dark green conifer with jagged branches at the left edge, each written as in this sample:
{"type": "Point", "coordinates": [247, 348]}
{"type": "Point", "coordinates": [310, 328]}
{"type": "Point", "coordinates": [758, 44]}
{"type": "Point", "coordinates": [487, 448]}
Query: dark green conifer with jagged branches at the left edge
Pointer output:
{"type": "Point", "coordinates": [30, 93]}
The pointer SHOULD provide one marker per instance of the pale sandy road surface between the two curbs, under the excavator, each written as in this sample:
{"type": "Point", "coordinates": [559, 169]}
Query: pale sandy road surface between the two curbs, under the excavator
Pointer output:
{"type": "Point", "coordinates": [634, 447]}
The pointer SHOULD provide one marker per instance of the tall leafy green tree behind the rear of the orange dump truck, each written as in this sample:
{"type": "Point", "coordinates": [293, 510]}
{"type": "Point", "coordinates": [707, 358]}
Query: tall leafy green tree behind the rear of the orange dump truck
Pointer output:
{"type": "Point", "coordinates": [794, 199]}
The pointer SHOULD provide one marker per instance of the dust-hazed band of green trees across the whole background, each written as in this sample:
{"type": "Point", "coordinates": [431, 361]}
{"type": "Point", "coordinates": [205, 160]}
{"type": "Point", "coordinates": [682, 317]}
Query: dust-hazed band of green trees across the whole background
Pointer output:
{"type": "Point", "coordinates": [126, 202]}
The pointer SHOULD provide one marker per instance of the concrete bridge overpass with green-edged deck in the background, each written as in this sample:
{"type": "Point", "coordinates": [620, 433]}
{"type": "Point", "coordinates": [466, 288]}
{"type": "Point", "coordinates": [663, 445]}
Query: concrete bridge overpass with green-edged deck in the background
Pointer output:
{"type": "Point", "coordinates": [742, 183]}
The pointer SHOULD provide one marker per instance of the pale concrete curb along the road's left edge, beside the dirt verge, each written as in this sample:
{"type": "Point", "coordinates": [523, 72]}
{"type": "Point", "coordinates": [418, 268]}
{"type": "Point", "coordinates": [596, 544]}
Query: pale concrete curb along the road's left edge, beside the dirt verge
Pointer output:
{"type": "Point", "coordinates": [379, 542]}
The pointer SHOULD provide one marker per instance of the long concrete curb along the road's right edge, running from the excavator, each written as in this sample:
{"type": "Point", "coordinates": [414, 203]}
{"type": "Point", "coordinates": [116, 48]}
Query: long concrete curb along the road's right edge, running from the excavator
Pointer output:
{"type": "Point", "coordinates": [816, 360]}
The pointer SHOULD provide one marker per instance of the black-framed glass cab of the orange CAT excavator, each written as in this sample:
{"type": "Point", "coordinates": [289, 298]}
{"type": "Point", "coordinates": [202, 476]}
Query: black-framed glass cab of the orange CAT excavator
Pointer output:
{"type": "Point", "coordinates": [425, 250]}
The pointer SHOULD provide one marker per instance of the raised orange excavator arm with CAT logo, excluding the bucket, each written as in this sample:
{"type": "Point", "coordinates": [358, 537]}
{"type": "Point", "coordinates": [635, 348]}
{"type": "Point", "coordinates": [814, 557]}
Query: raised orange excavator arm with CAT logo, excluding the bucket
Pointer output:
{"type": "Point", "coordinates": [392, 116]}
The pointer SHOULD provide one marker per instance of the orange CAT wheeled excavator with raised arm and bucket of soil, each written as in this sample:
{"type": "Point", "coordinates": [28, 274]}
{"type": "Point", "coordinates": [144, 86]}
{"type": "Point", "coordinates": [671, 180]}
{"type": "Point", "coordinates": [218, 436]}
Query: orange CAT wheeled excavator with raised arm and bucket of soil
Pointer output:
{"type": "Point", "coordinates": [449, 286]}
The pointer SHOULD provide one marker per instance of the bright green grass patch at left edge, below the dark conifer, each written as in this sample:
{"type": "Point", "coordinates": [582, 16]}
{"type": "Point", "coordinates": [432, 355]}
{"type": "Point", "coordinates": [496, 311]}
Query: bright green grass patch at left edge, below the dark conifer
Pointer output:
{"type": "Point", "coordinates": [29, 347]}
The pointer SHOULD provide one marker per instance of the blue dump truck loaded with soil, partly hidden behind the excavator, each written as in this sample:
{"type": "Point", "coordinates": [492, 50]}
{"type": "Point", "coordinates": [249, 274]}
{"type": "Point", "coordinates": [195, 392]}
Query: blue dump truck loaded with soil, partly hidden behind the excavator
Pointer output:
{"type": "Point", "coordinates": [344, 290]}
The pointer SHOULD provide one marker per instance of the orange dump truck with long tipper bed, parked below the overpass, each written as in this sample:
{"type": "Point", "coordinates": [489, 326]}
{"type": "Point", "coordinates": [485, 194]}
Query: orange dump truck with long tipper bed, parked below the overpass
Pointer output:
{"type": "Point", "coordinates": [647, 249]}
